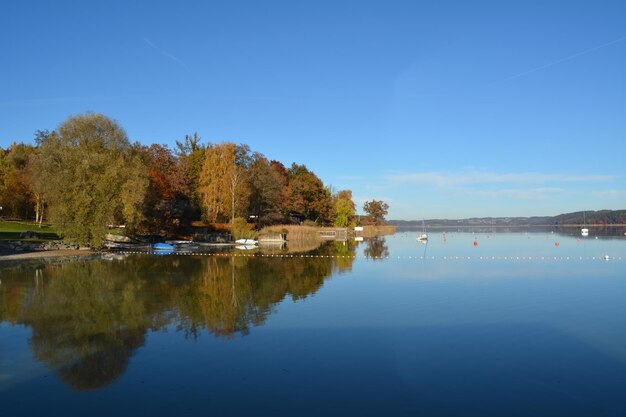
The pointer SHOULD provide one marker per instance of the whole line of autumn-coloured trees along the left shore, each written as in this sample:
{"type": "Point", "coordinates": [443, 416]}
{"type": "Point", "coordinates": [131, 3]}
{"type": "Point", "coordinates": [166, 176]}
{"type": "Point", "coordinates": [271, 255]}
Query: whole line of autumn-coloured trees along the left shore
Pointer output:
{"type": "Point", "coordinates": [87, 175]}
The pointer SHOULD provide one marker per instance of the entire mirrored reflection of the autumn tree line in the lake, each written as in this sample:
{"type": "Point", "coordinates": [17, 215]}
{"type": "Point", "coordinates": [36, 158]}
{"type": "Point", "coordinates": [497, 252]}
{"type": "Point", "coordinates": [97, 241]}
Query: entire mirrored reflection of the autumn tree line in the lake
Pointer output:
{"type": "Point", "coordinates": [88, 317]}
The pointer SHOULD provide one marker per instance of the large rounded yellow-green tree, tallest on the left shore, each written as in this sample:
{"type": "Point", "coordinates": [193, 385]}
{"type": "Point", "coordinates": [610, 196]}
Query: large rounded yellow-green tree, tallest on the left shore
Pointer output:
{"type": "Point", "coordinates": [93, 178]}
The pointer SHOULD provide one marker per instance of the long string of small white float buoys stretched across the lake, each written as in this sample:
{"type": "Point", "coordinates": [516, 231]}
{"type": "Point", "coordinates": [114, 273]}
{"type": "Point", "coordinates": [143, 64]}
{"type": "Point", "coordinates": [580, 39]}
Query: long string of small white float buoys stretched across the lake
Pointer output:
{"type": "Point", "coordinates": [506, 258]}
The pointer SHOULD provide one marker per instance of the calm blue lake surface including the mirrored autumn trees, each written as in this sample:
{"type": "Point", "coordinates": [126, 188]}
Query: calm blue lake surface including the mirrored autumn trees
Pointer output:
{"type": "Point", "coordinates": [512, 326]}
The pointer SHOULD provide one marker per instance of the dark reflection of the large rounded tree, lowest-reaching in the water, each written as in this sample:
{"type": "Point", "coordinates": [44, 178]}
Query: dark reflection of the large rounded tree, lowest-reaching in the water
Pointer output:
{"type": "Point", "coordinates": [86, 321]}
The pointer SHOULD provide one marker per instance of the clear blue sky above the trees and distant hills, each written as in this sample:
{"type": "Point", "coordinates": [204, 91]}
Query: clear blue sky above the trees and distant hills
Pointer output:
{"type": "Point", "coordinates": [443, 109]}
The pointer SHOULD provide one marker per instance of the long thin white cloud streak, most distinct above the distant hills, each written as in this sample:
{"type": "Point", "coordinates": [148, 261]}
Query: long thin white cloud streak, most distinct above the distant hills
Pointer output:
{"type": "Point", "coordinates": [477, 178]}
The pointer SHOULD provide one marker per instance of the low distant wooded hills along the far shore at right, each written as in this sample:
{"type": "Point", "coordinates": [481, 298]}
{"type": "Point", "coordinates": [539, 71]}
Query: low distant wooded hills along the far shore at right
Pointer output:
{"type": "Point", "coordinates": [600, 217]}
